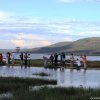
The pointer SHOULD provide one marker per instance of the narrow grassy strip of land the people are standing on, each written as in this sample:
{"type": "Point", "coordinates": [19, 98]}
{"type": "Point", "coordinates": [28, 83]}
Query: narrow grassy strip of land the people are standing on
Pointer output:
{"type": "Point", "coordinates": [40, 63]}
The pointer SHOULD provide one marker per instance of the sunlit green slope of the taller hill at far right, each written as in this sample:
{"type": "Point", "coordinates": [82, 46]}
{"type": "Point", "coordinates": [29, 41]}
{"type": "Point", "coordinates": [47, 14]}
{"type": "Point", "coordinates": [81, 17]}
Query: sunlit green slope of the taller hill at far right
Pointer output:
{"type": "Point", "coordinates": [86, 44]}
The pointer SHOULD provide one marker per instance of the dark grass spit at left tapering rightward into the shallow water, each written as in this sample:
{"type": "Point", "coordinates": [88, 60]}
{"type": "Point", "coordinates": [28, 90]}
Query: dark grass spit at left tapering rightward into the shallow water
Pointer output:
{"type": "Point", "coordinates": [12, 84]}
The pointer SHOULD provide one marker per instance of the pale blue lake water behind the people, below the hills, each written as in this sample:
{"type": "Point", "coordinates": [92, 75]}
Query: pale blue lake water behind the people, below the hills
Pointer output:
{"type": "Point", "coordinates": [40, 56]}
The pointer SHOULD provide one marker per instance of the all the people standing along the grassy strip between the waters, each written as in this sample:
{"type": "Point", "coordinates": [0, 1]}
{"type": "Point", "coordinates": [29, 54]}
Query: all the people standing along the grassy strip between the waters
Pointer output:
{"type": "Point", "coordinates": [57, 59]}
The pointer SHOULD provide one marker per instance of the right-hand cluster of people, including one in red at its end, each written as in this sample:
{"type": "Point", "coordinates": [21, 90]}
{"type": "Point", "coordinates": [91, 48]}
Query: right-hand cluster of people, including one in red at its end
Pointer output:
{"type": "Point", "coordinates": [53, 59]}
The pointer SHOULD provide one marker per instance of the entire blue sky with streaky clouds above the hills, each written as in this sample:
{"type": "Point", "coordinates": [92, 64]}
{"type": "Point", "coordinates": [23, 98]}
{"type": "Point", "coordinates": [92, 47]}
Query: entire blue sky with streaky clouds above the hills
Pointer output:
{"type": "Point", "coordinates": [37, 23]}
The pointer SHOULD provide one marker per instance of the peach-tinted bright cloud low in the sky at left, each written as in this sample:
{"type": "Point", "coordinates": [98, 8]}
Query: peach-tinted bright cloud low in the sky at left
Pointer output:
{"type": "Point", "coordinates": [25, 40]}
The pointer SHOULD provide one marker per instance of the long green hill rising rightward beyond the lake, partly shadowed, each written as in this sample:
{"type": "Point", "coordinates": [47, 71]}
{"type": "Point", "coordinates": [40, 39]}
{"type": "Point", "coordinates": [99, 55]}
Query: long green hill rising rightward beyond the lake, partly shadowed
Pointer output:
{"type": "Point", "coordinates": [87, 46]}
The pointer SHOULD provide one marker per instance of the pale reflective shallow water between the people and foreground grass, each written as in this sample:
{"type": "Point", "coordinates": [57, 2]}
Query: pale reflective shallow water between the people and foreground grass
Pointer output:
{"type": "Point", "coordinates": [65, 78]}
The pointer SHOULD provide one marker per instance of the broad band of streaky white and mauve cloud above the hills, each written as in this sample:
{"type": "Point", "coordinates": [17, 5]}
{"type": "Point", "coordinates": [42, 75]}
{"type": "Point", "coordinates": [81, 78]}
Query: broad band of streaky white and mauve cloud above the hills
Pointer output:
{"type": "Point", "coordinates": [29, 32]}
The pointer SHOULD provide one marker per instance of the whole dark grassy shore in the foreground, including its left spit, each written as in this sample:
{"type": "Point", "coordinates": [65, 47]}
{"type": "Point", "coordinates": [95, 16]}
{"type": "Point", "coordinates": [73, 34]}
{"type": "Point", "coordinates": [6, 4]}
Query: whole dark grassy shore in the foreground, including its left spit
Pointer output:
{"type": "Point", "coordinates": [19, 88]}
